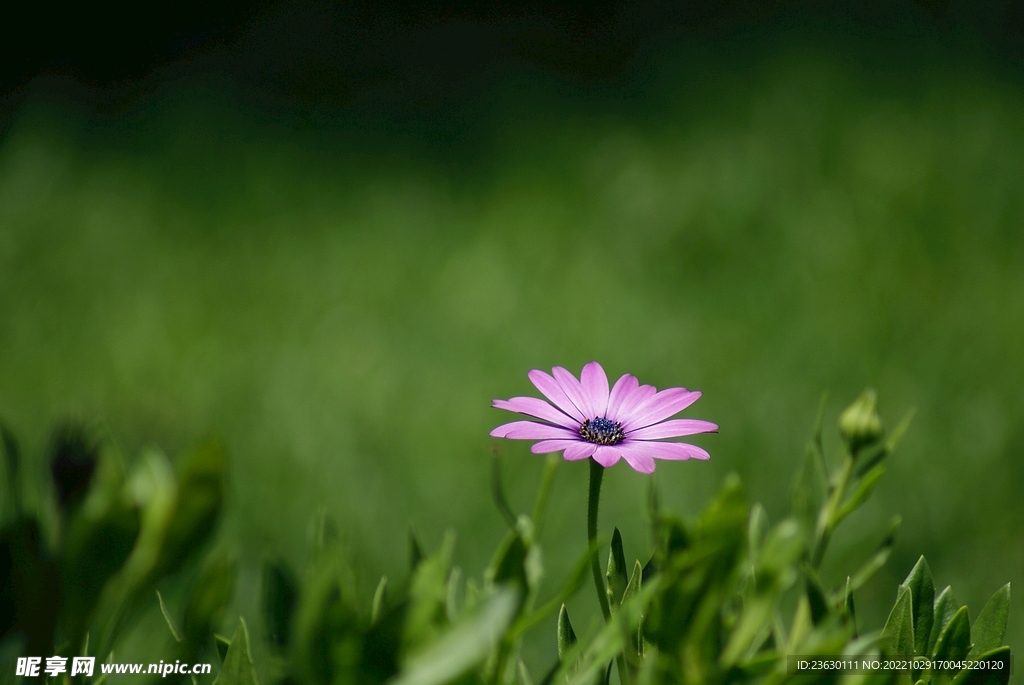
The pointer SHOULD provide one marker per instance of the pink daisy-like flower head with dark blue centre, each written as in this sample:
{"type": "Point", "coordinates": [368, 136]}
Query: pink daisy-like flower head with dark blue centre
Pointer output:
{"type": "Point", "coordinates": [585, 419]}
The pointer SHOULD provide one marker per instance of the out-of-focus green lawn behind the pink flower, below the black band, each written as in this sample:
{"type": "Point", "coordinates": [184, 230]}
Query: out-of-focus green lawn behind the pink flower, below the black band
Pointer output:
{"type": "Point", "coordinates": [340, 294]}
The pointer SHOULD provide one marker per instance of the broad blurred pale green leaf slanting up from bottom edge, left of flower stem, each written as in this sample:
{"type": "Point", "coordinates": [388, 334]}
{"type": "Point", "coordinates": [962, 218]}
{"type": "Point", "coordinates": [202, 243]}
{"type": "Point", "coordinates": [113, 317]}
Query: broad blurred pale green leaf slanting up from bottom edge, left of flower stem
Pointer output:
{"type": "Point", "coordinates": [465, 646]}
